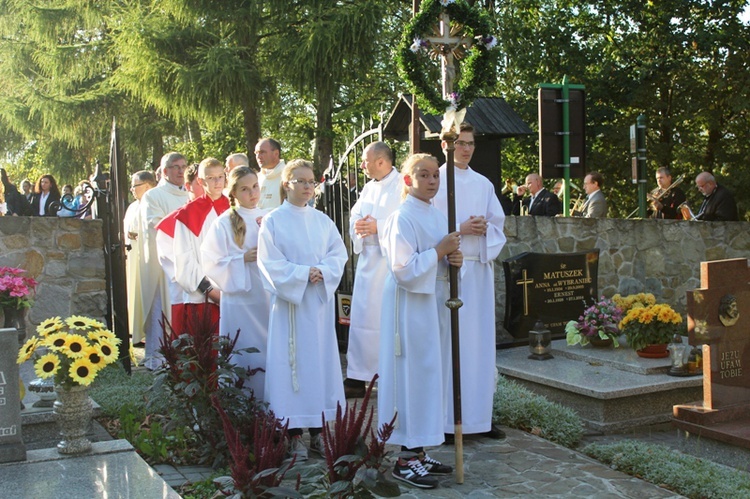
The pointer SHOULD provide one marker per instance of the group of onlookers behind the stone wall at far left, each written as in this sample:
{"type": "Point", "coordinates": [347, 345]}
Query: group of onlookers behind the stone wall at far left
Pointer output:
{"type": "Point", "coordinates": [43, 199]}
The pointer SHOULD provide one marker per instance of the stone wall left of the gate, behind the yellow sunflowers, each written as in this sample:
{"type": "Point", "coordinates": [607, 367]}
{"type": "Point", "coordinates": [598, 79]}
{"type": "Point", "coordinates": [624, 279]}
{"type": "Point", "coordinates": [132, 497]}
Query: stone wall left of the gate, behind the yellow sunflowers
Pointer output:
{"type": "Point", "coordinates": [65, 256]}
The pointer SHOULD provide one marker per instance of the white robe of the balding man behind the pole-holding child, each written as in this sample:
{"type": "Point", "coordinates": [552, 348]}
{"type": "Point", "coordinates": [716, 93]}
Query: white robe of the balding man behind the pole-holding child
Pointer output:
{"type": "Point", "coordinates": [378, 199]}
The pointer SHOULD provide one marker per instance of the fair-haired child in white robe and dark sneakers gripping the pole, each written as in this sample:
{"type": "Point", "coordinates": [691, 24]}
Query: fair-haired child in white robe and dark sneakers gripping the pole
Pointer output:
{"type": "Point", "coordinates": [411, 378]}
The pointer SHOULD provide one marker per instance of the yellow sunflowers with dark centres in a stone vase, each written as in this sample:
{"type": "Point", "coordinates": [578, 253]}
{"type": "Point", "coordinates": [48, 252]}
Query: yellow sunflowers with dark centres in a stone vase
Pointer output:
{"type": "Point", "coordinates": [72, 352]}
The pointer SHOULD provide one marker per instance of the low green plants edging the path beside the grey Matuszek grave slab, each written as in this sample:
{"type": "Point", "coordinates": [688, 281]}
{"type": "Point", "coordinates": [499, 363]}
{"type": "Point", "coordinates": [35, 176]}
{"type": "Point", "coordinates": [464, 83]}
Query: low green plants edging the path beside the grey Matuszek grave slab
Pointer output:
{"type": "Point", "coordinates": [517, 407]}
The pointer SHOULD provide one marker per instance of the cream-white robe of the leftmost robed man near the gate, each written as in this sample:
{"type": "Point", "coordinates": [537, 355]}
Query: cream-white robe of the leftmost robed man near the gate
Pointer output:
{"type": "Point", "coordinates": [131, 225]}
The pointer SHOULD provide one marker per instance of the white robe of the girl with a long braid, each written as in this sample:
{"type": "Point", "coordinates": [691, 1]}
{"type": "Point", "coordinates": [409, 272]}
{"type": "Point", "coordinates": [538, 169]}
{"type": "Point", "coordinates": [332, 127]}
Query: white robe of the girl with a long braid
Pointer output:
{"type": "Point", "coordinates": [244, 302]}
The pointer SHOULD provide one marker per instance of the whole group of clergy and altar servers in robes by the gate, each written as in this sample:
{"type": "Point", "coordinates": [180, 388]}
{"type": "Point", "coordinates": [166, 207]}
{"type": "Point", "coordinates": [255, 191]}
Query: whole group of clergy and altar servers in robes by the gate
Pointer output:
{"type": "Point", "coordinates": [249, 248]}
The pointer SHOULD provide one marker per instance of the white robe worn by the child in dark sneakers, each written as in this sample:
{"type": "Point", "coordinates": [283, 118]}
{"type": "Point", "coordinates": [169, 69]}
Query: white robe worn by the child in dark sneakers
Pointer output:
{"type": "Point", "coordinates": [411, 375]}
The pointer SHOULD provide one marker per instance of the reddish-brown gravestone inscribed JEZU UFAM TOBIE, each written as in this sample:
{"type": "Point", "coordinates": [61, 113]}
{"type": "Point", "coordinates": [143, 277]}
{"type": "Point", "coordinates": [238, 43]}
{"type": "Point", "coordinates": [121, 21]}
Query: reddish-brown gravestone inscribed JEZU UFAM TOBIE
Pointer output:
{"type": "Point", "coordinates": [719, 319]}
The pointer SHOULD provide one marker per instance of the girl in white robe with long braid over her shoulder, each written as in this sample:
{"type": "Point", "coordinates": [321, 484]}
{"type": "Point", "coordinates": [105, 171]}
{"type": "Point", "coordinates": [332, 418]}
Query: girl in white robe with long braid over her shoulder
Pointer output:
{"type": "Point", "coordinates": [229, 255]}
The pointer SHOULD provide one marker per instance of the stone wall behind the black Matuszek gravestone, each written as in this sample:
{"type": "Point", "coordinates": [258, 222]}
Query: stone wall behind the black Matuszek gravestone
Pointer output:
{"type": "Point", "coordinates": [657, 256]}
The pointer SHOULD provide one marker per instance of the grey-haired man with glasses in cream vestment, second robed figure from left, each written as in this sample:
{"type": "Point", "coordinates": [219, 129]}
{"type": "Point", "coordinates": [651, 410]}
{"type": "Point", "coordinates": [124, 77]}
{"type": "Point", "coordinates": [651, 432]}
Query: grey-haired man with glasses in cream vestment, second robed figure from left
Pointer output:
{"type": "Point", "coordinates": [155, 205]}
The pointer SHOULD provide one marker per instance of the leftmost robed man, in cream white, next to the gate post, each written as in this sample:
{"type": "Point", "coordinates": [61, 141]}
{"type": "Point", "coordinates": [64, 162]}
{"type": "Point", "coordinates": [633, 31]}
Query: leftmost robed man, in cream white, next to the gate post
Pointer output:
{"type": "Point", "coordinates": [140, 182]}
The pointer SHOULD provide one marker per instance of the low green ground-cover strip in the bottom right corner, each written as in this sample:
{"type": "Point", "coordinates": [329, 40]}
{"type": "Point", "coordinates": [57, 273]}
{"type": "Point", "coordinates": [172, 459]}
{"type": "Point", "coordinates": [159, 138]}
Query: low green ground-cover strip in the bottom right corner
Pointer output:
{"type": "Point", "coordinates": [687, 475]}
